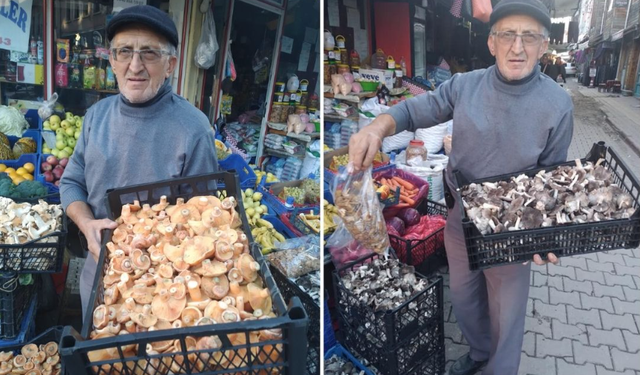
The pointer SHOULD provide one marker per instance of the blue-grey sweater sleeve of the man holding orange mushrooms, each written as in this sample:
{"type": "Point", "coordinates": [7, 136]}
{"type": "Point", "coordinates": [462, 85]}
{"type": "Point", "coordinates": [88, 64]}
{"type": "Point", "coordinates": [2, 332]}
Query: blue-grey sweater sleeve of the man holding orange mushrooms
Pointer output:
{"type": "Point", "coordinates": [73, 185]}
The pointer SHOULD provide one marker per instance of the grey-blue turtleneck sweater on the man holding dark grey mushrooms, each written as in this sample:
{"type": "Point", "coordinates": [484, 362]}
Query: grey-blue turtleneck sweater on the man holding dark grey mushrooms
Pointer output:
{"type": "Point", "coordinates": [499, 126]}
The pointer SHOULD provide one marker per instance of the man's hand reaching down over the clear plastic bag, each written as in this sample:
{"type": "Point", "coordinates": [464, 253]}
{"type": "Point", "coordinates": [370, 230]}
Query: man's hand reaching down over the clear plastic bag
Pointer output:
{"type": "Point", "coordinates": [364, 145]}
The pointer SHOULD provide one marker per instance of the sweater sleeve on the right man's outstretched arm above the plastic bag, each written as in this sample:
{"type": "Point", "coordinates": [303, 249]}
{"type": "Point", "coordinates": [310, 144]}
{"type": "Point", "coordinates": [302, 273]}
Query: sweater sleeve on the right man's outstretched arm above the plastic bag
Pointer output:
{"type": "Point", "coordinates": [428, 109]}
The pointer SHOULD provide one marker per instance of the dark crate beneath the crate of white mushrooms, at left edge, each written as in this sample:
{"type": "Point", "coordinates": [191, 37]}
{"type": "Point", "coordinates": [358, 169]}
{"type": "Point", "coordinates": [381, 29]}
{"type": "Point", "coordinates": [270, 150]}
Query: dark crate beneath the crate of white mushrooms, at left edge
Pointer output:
{"type": "Point", "coordinates": [14, 303]}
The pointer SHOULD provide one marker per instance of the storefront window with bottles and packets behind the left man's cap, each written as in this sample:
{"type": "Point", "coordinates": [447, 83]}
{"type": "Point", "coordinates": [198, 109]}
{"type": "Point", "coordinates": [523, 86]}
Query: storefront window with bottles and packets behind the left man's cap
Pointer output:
{"type": "Point", "coordinates": [82, 73]}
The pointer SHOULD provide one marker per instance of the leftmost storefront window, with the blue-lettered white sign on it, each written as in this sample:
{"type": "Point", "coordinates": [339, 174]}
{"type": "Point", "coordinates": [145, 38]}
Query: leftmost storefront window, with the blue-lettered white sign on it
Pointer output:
{"type": "Point", "coordinates": [21, 54]}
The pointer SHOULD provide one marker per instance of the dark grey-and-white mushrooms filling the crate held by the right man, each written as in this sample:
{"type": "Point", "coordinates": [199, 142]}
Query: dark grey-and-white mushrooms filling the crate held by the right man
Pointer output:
{"type": "Point", "coordinates": [567, 195]}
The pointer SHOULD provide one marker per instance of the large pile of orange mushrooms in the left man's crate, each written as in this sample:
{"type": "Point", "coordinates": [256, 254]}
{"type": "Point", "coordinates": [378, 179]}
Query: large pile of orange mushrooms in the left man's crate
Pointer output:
{"type": "Point", "coordinates": [183, 265]}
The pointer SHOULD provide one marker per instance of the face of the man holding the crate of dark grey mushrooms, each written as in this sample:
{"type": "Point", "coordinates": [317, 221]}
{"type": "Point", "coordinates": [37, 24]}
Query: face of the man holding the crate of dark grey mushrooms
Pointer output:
{"type": "Point", "coordinates": [517, 58]}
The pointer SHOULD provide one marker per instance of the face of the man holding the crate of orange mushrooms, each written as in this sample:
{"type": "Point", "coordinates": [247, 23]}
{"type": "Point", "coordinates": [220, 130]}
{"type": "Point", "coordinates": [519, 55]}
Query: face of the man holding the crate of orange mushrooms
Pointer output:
{"type": "Point", "coordinates": [140, 80]}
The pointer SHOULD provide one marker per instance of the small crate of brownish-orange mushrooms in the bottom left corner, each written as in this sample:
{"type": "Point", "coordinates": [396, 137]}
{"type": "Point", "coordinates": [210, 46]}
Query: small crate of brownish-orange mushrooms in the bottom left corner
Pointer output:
{"type": "Point", "coordinates": [32, 360]}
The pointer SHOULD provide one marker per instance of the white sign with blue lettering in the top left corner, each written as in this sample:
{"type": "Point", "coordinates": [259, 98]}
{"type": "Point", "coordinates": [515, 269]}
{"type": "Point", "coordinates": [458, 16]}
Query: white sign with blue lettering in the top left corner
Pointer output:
{"type": "Point", "coordinates": [15, 24]}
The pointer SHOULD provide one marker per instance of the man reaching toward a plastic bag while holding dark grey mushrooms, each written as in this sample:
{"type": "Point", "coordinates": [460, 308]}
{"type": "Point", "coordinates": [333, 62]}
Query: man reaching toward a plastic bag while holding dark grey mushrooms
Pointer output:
{"type": "Point", "coordinates": [508, 118]}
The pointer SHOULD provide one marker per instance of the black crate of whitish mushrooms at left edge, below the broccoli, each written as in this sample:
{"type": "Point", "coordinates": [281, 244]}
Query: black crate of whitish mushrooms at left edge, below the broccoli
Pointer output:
{"type": "Point", "coordinates": [23, 222]}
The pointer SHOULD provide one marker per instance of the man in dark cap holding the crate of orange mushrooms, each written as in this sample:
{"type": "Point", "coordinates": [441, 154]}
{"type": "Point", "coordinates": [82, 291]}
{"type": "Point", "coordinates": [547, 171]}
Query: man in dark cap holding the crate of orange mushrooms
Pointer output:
{"type": "Point", "coordinates": [145, 134]}
